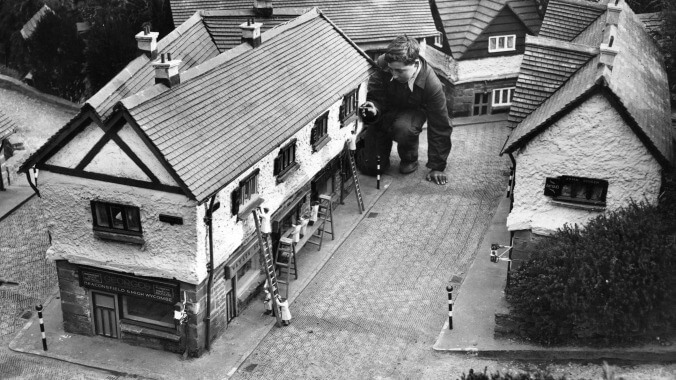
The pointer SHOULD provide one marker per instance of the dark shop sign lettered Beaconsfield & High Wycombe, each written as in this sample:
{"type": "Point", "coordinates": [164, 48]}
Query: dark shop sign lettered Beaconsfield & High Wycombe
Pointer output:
{"type": "Point", "coordinates": [129, 285]}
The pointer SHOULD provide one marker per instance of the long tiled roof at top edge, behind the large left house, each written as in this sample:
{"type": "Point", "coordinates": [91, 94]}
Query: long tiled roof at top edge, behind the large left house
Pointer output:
{"type": "Point", "coordinates": [364, 21]}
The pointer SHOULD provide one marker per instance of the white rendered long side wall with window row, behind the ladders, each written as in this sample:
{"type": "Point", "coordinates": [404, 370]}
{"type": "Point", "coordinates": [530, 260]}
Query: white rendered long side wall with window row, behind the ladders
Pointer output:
{"type": "Point", "coordinates": [230, 233]}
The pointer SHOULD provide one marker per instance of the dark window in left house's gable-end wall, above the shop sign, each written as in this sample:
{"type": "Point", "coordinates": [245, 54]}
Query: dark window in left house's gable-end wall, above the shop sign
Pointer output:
{"type": "Point", "coordinates": [116, 218]}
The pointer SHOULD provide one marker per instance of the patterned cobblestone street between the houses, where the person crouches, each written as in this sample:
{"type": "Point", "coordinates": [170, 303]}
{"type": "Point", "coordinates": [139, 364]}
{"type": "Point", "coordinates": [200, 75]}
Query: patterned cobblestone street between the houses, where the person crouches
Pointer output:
{"type": "Point", "coordinates": [381, 299]}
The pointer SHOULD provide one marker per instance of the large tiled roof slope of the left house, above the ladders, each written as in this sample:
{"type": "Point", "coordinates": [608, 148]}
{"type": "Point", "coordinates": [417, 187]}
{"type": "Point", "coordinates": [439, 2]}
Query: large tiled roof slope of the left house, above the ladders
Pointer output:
{"type": "Point", "coordinates": [231, 111]}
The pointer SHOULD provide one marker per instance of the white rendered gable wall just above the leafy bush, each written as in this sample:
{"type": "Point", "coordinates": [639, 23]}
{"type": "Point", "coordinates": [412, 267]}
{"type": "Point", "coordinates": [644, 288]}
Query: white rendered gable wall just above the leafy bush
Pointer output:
{"type": "Point", "coordinates": [591, 141]}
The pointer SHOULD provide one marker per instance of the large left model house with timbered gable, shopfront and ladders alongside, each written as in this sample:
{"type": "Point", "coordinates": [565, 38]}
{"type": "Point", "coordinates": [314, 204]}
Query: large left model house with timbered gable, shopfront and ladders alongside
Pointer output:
{"type": "Point", "coordinates": [150, 205]}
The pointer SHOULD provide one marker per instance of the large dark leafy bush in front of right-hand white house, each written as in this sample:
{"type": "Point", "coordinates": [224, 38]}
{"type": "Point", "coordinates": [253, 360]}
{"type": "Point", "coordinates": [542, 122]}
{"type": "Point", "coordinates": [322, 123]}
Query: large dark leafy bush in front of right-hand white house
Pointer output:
{"type": "Point", "coordinates": [613, 282]}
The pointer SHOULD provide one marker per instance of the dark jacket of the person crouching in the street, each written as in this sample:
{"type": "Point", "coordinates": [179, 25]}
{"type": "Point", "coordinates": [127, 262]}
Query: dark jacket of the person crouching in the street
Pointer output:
{"type": "Point", "coordinates": [390, 96]}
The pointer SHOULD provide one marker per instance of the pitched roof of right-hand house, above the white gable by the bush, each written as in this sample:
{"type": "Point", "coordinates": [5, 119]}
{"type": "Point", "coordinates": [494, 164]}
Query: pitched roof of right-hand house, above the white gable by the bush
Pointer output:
{"type": "Point", "coordinates": [637, 81]}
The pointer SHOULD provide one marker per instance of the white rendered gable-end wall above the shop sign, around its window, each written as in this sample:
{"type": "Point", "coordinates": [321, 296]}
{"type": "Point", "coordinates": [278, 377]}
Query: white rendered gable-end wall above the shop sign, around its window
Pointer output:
{"type": "Point", "coordinates": [168, 250]}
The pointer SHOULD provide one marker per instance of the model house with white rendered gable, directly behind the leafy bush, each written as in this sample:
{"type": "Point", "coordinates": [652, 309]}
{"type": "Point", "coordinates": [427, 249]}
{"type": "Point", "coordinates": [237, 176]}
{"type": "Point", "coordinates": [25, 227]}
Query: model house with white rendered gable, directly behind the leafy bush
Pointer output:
{"type": "Point", "coordinates": [592, 118]}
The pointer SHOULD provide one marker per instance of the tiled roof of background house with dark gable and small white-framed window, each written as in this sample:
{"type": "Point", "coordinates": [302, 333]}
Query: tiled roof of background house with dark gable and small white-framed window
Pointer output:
{"type": "Point", "coordinates": [465, 20]}
